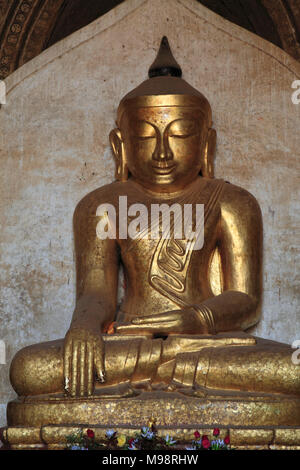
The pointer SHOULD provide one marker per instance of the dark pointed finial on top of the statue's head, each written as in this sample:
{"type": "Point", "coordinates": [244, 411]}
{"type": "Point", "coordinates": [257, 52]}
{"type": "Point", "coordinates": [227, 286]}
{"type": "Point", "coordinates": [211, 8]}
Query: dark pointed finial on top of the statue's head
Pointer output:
{"type": "Point", "coordinates": [164, 64]}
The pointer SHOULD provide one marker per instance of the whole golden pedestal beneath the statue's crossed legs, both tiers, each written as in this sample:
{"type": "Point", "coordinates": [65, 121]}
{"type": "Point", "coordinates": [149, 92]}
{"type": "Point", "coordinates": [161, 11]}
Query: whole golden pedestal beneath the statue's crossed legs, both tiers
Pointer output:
{"type": "Point", "coordinates": [45, 421]}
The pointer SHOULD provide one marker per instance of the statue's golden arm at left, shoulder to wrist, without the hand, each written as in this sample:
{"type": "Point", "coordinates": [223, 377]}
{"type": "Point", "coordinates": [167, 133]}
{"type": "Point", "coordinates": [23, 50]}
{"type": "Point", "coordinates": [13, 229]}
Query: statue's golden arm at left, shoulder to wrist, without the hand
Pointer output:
{"type": "Point", "coordinates": [97, 264]}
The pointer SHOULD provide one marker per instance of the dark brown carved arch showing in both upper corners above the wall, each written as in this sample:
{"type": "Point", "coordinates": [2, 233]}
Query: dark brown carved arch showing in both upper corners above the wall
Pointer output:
{"type": "Point", "coordinates": [27, 27]}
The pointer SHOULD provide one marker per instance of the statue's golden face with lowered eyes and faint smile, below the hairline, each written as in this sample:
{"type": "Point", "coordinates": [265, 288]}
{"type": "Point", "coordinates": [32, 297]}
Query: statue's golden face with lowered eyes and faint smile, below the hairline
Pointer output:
{"type": "Point", "coordinates": [164, 145]}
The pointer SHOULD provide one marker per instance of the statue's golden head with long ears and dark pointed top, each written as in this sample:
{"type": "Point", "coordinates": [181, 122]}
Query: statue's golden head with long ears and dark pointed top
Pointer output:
{"type": "Point", "coordinates": [164, 138]}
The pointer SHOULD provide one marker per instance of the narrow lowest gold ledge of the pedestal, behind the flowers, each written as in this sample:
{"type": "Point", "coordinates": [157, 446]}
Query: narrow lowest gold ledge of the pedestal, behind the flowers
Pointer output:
{"type": "Point", "coordinates": [253, 438]}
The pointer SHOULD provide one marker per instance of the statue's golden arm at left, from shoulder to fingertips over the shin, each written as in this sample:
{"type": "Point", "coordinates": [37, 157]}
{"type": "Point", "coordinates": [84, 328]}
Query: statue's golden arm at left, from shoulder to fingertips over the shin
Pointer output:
{"type": "Point", "coordinates": [96, 300]}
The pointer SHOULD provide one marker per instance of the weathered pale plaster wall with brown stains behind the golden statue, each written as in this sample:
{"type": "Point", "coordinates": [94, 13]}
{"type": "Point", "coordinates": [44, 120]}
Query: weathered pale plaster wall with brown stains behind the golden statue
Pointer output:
{"type": "Point", "coordinates": [54, 150]}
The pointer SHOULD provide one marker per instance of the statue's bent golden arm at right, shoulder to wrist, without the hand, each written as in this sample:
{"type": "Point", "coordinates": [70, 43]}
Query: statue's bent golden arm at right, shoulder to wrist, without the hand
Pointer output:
{"type": "Point", "coordinates": [240, 244]}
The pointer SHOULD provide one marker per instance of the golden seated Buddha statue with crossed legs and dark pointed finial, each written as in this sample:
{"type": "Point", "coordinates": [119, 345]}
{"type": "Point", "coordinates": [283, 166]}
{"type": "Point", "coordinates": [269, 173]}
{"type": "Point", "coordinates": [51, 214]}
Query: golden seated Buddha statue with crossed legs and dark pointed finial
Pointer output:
{"type": "Point", "coordinates": [181, 328]}
